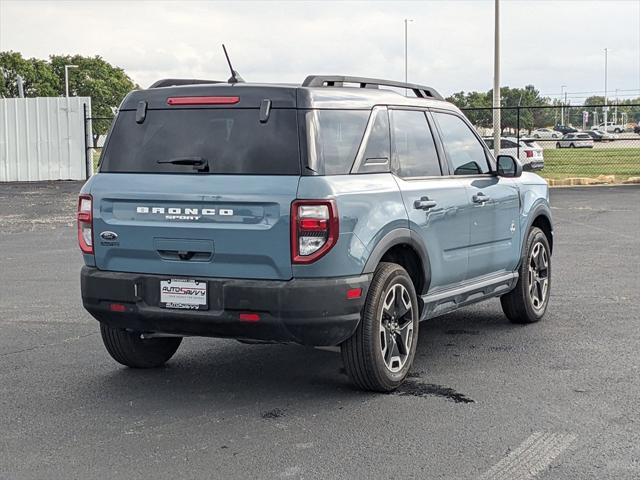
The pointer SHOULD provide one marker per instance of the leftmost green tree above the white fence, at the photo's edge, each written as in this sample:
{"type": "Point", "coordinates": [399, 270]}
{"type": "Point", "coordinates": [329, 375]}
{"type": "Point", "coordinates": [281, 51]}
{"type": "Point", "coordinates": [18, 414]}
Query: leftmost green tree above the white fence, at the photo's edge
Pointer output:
{"type": "Point", "coordinates": [38, 77]}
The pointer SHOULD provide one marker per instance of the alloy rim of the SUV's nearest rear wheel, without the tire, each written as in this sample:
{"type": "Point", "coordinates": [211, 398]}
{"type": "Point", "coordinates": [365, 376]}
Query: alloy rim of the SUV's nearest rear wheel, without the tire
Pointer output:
{"type": "Point", "coordinates": [396, 327]}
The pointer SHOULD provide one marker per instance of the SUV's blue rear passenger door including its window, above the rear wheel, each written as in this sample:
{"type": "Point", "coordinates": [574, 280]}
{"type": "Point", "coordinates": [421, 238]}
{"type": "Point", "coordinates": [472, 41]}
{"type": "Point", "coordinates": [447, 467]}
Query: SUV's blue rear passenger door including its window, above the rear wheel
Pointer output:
{"type": "Point", "coordinates": [438, 207]}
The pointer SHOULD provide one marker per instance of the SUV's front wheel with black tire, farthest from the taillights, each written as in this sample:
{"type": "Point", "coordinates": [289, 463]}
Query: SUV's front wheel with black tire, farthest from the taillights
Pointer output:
{"type": "Point", "coordinates": [519, 305]}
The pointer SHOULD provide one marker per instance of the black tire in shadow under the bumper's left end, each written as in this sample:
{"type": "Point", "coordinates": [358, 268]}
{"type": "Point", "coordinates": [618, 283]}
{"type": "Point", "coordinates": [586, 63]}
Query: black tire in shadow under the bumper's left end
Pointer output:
{"type": "Point", "coordinates": [129, 349]}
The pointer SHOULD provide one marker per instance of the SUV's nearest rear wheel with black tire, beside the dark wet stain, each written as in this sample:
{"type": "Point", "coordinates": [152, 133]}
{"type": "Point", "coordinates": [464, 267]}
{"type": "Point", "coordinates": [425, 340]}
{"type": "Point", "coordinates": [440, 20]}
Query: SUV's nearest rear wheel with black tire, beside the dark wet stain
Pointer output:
{"type": "Point", "coordinates": [364, 354]}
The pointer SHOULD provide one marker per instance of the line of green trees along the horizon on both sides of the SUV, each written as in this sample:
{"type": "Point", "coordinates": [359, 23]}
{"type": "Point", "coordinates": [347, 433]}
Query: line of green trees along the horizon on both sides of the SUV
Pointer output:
{"type": "Point", "coordinates": [107, 85]}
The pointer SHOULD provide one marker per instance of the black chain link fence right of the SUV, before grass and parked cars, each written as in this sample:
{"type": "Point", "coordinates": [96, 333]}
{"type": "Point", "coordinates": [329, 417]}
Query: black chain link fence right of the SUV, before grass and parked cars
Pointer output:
{"type": "Point", "coordinates": [569, 144]}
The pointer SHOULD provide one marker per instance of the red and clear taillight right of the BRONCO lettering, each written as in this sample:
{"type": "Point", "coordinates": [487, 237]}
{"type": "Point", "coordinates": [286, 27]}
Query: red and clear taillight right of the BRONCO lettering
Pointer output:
{"type": "Point", "coordinates": [314, 229]}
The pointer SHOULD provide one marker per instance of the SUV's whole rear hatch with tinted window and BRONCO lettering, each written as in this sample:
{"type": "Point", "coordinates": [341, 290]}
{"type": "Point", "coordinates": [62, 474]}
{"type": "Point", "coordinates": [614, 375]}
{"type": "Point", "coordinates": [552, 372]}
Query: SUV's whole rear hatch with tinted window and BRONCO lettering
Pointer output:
{"type": "Point", "coordinates": [198, 186]}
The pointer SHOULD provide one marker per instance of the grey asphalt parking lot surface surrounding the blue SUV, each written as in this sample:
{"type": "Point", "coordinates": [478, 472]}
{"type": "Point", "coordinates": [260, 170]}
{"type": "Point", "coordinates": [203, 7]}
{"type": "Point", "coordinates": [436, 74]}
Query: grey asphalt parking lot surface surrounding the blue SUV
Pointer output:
{"type": "Point", "coordinates": [486, 399]}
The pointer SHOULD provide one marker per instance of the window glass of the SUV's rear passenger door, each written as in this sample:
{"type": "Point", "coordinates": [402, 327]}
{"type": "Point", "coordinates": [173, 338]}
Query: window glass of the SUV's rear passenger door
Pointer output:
{"type": "Point", "coordinates": [413, 144]}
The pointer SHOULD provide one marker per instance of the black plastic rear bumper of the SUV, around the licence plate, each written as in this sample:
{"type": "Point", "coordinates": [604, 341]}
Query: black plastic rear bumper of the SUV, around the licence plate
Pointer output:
{"type": "Point", "coordinates": [305, 311]}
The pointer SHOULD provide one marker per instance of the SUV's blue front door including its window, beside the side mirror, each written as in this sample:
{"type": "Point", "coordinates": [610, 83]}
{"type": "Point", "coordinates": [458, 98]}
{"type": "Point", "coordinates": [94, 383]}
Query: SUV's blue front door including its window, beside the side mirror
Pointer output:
{"type": "Point", "coordinates": [493, 216]}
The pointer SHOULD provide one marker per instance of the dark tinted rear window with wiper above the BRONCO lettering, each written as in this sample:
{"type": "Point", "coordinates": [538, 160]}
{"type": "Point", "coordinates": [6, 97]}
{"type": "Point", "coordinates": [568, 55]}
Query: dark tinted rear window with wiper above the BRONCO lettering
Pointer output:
{"type": "Point", "coordinates": [225, 141]}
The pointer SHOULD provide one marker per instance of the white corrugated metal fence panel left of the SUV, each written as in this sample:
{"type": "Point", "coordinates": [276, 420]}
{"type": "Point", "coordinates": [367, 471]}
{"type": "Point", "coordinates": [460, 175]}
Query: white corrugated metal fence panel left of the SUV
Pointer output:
{"type": "Point", "coordinates": [43, 138]}
